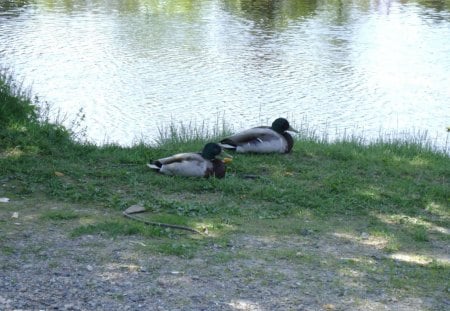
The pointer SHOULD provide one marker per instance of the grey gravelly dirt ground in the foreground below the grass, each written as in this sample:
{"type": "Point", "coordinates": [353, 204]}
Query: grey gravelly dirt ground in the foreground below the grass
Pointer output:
{"type": "Point", "coordinates": [43, 268]}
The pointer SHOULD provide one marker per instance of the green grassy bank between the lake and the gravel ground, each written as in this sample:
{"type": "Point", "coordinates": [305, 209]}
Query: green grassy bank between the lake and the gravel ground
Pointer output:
{"type": "Point", "coordinates": [390, 196]}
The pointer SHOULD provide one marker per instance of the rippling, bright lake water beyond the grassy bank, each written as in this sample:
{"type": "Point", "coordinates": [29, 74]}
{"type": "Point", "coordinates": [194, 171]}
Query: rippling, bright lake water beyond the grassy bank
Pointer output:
{"type": "Point", "coordinates": [133, 67]}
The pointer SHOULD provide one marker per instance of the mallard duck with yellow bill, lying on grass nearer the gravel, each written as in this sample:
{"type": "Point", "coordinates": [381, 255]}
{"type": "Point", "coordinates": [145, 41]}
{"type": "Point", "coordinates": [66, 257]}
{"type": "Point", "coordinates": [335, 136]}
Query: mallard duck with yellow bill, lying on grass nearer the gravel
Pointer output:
{"type": "Point", "coordinates": [204, 164]}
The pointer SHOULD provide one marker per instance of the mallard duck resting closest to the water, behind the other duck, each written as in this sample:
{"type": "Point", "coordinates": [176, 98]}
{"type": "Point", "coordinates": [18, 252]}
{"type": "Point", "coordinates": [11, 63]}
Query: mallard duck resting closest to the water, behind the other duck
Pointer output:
{"type": "Point", "coordinates": [262, 139]}
